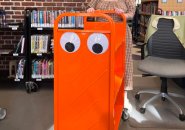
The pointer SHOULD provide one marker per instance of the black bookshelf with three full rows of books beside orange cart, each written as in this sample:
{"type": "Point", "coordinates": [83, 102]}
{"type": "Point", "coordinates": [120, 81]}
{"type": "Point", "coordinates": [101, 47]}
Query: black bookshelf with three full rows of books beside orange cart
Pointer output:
{"type": "Point", "coordinates": [41, 40]}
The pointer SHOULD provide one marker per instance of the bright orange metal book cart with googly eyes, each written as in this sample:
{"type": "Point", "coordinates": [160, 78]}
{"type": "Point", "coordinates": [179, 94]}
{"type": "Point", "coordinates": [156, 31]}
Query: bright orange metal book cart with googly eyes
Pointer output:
{"type": "Point", "coordinates": [89, 66]}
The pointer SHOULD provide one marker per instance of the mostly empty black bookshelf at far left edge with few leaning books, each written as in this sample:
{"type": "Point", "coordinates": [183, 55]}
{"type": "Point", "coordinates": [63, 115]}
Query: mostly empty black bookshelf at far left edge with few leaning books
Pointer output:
{"type": "Point", "coordinates": [14, 58]}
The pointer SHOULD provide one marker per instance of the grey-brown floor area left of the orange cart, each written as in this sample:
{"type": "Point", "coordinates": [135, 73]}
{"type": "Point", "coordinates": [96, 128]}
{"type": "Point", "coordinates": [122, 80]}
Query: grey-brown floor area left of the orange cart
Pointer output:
{"type": "Point", "coordinates": [26, 111]}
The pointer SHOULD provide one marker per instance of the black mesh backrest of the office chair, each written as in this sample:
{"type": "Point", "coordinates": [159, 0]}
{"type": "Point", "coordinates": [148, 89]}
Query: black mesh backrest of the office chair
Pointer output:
{"type": "Point", "coordinates": [164, 43]}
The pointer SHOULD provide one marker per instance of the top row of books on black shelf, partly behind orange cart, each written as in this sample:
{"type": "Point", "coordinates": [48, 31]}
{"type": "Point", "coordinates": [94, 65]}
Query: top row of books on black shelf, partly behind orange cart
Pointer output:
{"type": "Point", "coordinates": [41, 20]}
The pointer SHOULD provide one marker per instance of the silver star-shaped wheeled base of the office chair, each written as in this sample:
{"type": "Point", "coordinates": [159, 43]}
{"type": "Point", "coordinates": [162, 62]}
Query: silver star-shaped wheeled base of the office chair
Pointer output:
{"type": "Point", "coordinates": [163, 96]}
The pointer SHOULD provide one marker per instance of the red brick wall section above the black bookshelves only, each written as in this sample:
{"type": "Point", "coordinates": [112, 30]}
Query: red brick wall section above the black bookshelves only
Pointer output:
{"type": "Point", "coordinates": [15, 8]}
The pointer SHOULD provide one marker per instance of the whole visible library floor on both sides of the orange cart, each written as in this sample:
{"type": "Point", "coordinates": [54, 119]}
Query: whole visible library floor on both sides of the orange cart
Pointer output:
{"type": "Point", "coordinates": [35, 111]}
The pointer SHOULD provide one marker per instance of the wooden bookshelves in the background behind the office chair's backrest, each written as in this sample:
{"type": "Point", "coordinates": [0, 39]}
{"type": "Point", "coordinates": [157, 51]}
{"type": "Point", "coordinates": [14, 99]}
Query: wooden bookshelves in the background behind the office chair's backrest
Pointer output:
{"type": "Point", "coordinates": [149, 7]}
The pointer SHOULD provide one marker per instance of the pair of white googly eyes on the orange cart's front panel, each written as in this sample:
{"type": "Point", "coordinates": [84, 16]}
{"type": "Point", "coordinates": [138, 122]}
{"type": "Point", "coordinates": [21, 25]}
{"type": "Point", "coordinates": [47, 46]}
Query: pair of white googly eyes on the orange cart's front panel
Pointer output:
{"type": "Point", "coordinates": [97, 43]}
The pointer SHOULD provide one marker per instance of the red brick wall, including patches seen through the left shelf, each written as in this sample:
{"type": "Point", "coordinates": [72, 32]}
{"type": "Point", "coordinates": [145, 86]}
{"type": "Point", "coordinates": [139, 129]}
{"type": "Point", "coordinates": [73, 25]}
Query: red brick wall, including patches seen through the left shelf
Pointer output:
{"type": "Point", "coordinates": [15, 13]}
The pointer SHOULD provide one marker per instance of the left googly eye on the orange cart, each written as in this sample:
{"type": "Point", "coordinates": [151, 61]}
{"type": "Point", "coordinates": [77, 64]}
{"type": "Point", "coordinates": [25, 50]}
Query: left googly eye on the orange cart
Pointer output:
{"type": "Point", "coordinates": [70, 42]}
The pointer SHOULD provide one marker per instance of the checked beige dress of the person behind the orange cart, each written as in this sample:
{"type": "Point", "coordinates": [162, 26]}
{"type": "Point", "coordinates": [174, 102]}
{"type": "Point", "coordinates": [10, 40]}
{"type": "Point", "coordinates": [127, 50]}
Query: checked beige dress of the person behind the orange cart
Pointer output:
{"type": "Point", "coordinates": [129, 7]}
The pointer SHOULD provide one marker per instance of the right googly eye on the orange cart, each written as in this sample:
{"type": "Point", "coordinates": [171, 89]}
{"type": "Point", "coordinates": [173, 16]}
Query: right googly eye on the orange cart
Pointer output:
{"type": "Point", "coordinates": [97, 43]}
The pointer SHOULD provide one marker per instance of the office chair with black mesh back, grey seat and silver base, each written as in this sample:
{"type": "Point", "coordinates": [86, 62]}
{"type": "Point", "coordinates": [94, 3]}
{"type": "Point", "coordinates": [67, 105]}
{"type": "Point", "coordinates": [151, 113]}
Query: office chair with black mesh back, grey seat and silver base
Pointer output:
{"type": "Point", "coordinates": [166, 59]}
